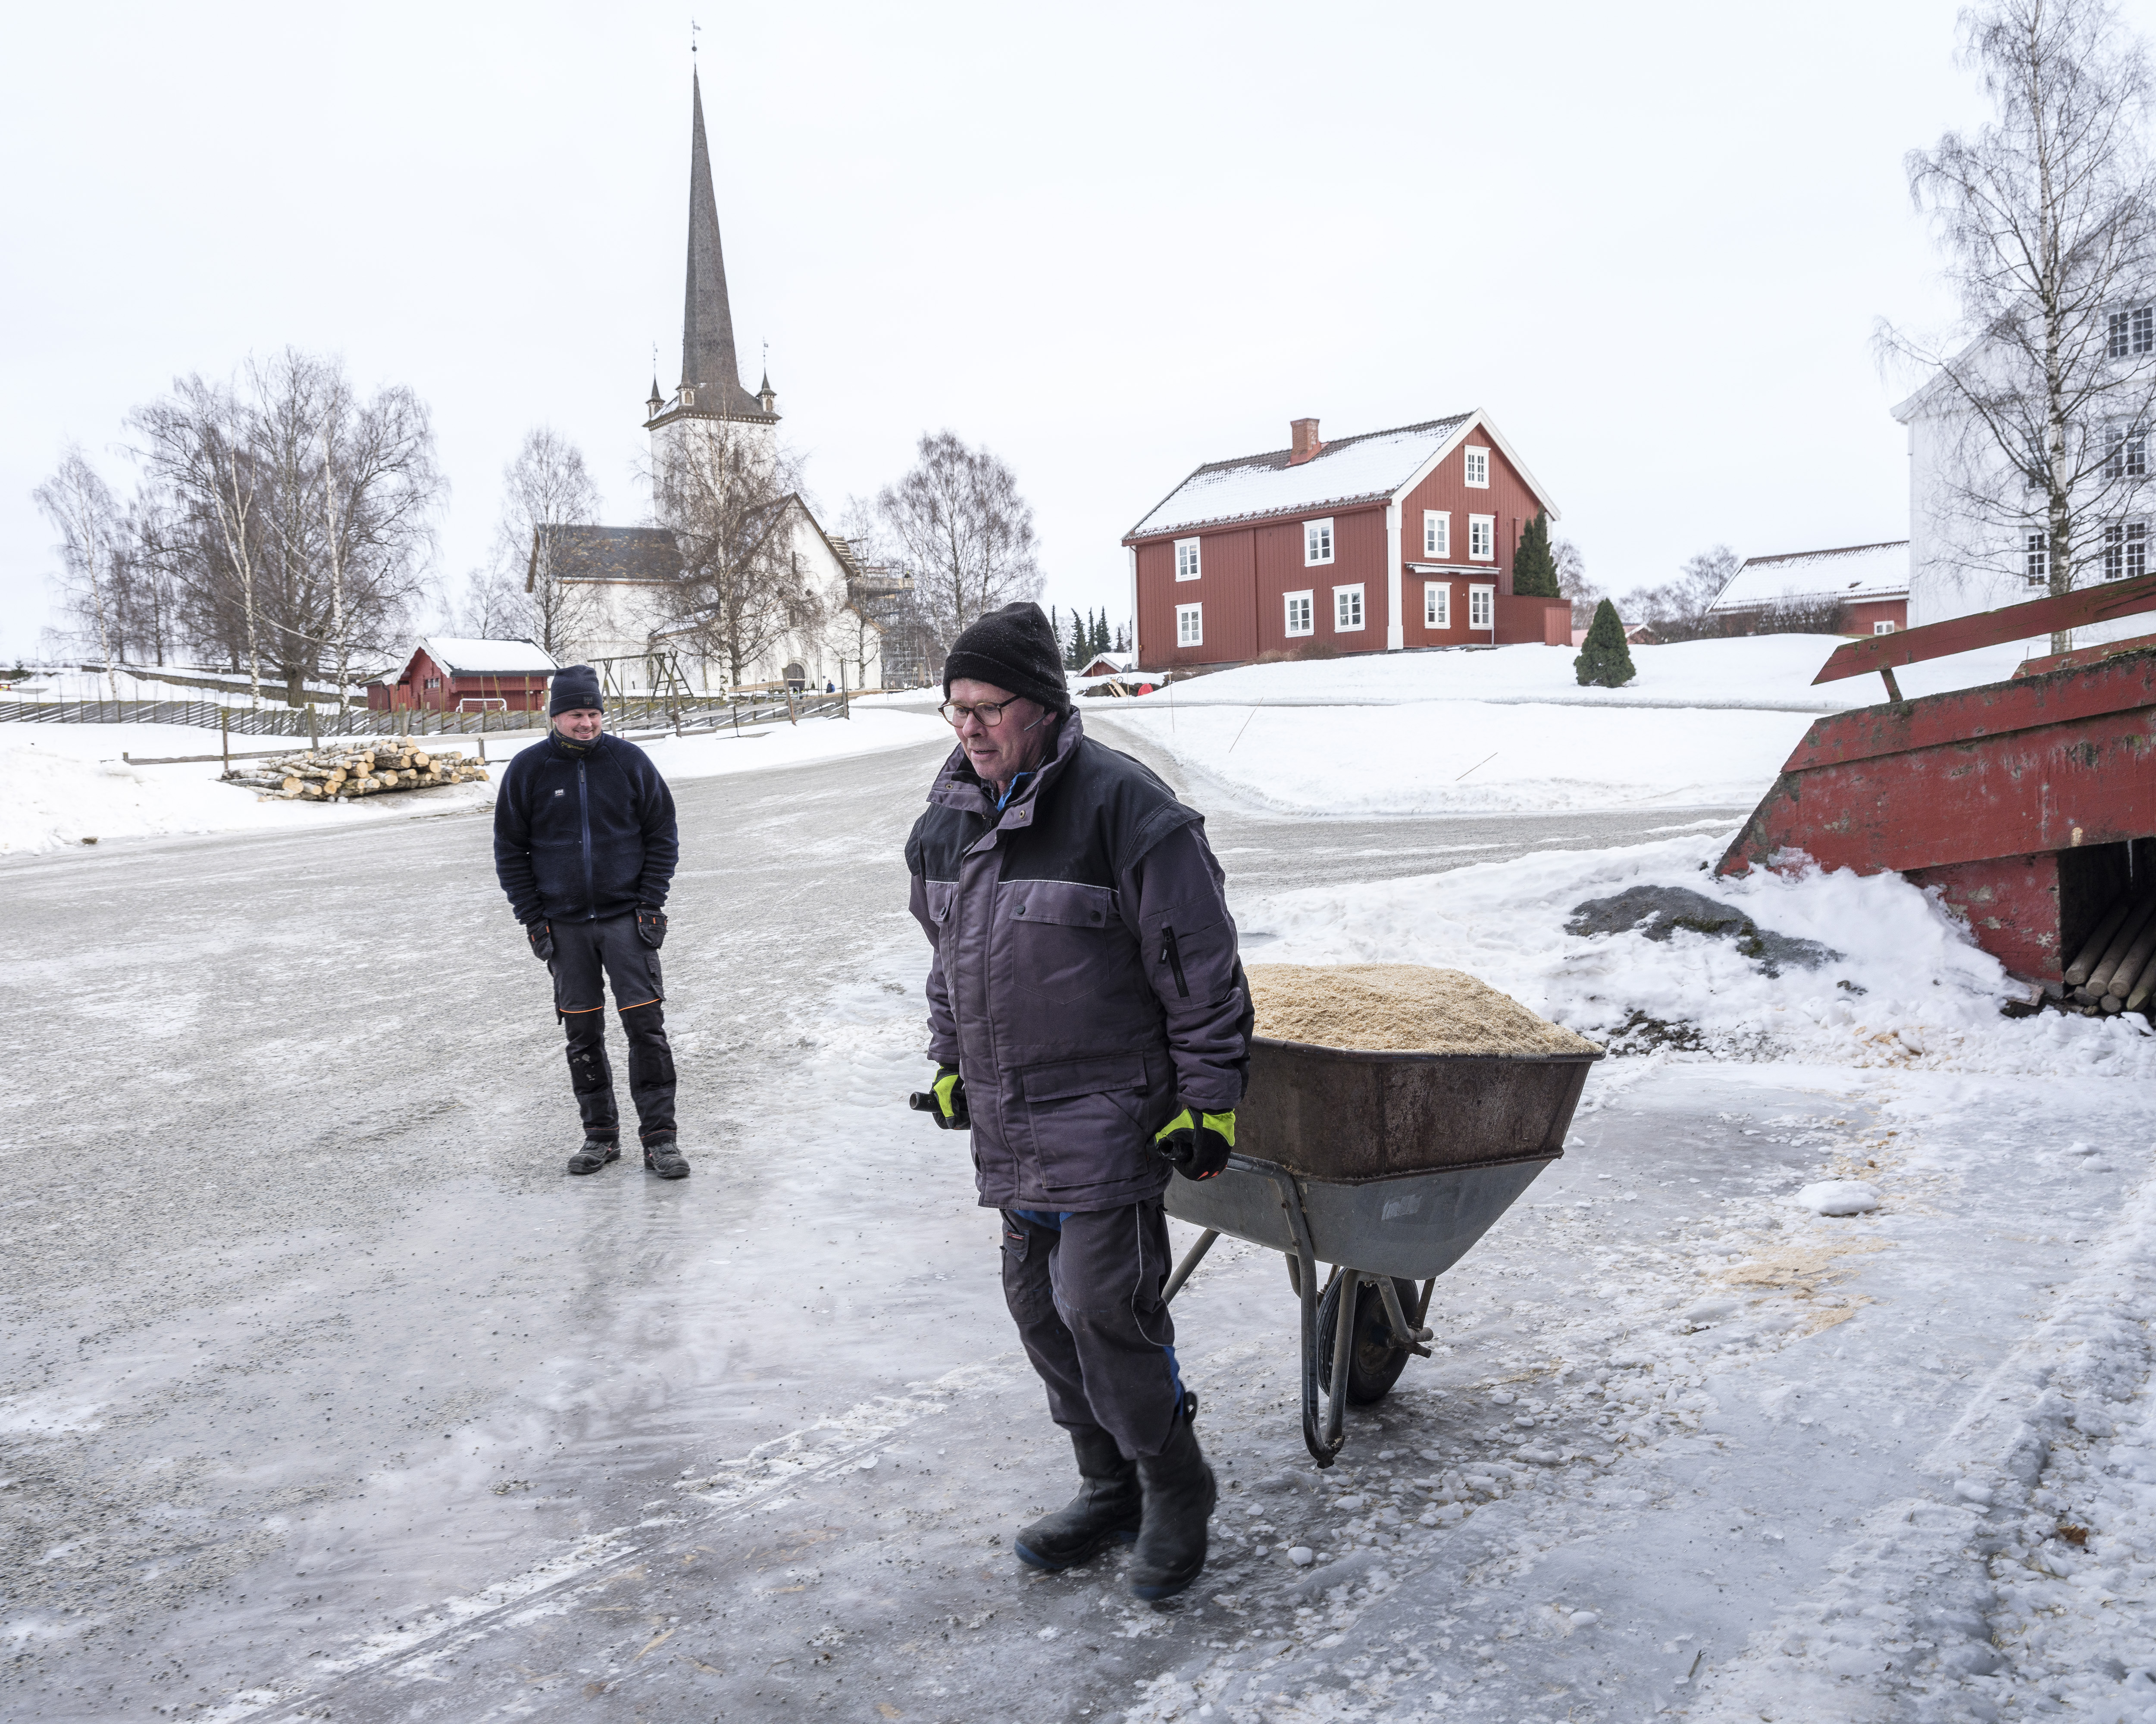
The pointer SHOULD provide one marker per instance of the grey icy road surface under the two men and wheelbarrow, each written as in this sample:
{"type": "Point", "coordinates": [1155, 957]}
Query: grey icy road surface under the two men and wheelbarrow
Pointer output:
{"type": "Point", "coordinates": [329, 1398]}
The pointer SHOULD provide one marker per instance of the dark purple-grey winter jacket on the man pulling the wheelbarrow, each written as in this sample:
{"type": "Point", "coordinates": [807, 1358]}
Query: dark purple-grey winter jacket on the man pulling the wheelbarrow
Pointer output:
{"type": "Point", "coordinates": [1086, 975]}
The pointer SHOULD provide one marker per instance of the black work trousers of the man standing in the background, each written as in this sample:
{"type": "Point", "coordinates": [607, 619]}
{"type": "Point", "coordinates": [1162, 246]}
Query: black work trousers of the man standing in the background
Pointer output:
{"type": "Point", "coordinates": [611, 949]}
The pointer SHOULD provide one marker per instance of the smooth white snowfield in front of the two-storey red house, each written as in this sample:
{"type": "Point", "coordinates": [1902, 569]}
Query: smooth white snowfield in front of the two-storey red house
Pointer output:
{"type": "Point", "coordinates": [1706, 723]}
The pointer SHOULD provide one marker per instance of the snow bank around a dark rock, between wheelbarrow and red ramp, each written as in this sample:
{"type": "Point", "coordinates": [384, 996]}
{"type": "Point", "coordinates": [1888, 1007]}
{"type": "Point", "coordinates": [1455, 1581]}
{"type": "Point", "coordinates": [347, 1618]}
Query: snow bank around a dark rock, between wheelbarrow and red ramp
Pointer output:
{"type": "Point", "coordinates": [1905, 990]}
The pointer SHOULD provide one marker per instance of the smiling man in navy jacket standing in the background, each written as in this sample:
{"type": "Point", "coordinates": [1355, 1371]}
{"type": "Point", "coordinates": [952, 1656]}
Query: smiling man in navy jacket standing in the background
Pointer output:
{"type": "Point", "coordinates": [585, 848]}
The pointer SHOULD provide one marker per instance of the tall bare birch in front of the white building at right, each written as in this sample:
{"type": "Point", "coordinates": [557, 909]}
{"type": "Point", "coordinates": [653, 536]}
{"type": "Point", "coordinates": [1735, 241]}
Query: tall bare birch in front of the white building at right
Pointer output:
{"type": "Point", "coordinates": [2045, 217]}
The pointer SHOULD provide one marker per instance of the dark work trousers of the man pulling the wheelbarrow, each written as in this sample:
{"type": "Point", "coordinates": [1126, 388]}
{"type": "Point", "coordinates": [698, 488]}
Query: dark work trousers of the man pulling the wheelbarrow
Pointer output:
{"type": "Point", "coordinates": [1086, 1294]}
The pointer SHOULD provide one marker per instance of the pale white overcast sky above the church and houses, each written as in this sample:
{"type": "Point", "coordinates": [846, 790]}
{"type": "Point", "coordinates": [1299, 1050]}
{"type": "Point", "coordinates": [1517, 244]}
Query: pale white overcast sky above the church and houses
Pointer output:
{"type": "Point", "coordinates": [1107, 242]}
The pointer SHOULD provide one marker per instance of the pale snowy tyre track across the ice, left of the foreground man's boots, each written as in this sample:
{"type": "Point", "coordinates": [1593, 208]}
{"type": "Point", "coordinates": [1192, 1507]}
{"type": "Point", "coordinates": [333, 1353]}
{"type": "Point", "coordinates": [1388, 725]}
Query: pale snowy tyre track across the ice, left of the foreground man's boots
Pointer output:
{"type": "Point", "coordinates": [756, 1484]}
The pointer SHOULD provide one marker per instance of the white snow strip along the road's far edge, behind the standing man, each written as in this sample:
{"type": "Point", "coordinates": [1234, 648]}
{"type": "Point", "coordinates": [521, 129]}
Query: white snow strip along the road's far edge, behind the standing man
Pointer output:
{"type": "Point", "coordinates": [68, 785]}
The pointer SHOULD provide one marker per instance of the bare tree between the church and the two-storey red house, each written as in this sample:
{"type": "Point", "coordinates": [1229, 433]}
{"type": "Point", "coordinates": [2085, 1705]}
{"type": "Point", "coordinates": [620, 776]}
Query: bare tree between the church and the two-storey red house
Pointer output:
{"type": "Point", "coordinates": [967, 533]}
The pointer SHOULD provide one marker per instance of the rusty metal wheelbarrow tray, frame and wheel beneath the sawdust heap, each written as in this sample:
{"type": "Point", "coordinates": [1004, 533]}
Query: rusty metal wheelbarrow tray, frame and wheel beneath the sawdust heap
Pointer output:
{"type": "Point", "coordinates": [1387, 1167]}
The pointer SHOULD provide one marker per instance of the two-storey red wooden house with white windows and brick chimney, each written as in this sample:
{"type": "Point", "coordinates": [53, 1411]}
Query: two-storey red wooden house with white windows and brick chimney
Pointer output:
{"type": "Point", "coordinates": [1366, 544]}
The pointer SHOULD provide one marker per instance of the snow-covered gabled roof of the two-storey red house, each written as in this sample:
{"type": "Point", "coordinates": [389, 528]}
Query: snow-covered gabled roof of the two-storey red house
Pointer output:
{"type": "Point", "coordinates": [1346, 471]}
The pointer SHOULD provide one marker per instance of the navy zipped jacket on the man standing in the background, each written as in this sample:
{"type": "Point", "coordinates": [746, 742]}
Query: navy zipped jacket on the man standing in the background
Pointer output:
{"type": "Point", "coordinates": [581, 837]}
